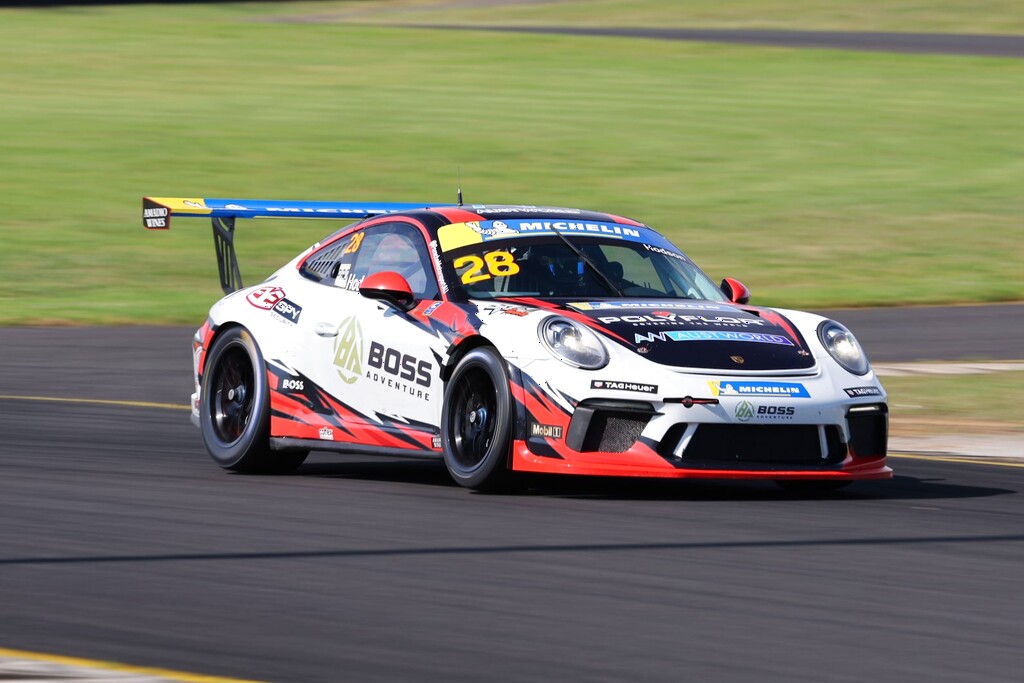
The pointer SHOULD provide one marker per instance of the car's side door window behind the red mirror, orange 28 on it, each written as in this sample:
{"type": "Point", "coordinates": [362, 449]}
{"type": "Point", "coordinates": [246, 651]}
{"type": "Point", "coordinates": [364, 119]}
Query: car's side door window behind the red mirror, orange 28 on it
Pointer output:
{"type": "Point", "coordinates": [397, 247]}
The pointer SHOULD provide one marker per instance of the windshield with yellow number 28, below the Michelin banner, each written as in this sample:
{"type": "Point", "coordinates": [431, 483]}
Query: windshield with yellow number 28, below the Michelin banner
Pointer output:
{"type": "Point", "coordinates": [551, 267]}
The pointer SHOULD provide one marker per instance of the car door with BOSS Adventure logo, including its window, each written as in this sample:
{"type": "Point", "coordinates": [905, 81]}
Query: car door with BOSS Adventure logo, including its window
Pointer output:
{"type": "Point", "coordinates": [377, 364]}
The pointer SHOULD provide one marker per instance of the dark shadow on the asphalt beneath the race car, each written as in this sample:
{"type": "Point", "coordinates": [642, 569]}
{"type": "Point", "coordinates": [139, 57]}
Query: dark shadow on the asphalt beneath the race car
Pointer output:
{"type": "Point", "coordinates": [433, 474]}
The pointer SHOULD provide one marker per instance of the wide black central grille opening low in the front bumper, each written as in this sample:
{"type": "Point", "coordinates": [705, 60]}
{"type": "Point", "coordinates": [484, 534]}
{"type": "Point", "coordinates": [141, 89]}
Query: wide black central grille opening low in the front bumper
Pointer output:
{"type": "Point", "coordinates": [763, 447]}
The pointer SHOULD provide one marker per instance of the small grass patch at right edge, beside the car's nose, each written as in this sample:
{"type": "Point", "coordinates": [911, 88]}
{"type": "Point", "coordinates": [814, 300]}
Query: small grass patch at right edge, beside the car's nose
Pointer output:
{"type": "Point", "coordinates": [958, 401]}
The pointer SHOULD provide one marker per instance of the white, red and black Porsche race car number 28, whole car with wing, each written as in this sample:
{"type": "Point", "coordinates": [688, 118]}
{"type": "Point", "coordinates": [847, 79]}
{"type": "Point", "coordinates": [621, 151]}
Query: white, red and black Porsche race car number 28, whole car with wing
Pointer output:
{"type": "Point", "coordinates": [515, 339]}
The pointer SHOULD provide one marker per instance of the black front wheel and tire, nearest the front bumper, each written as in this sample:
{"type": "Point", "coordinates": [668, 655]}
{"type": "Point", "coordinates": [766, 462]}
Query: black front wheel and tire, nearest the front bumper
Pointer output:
{"type": "Point", "coordinates": [477, 422]}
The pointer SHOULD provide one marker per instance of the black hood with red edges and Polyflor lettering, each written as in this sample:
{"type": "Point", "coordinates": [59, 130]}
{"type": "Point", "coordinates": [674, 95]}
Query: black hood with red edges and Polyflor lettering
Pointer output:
{"type": "Point", "coordinates": [706, 335]}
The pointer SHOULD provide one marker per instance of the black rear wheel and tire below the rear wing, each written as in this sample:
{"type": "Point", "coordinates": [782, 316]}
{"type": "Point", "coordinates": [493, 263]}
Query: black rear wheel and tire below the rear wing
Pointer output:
{"type": "Point", "coordinates": [235, 410]}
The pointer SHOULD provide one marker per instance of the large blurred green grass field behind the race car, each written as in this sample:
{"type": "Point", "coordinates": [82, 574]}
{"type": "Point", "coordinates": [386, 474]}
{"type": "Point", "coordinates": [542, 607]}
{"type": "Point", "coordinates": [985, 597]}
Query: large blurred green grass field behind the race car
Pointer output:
{"type": "Point", "coordinates": [817, 178]}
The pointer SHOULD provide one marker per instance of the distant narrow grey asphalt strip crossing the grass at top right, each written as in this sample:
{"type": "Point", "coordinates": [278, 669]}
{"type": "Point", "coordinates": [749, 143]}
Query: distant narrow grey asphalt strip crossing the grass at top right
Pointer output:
{"type": "Point", "coordinates": [927, 44]}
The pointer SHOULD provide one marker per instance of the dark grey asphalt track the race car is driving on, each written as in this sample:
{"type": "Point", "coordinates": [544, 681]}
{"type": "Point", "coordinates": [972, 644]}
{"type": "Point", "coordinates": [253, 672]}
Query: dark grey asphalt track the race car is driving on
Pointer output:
{"type": "Point", "coordinates": [121, 541]}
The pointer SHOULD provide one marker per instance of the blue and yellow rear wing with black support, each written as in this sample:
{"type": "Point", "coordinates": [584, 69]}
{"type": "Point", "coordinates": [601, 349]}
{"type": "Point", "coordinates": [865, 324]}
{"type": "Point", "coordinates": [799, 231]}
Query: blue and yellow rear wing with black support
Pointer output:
{"type": "Point", "coordinates": [158, 211]}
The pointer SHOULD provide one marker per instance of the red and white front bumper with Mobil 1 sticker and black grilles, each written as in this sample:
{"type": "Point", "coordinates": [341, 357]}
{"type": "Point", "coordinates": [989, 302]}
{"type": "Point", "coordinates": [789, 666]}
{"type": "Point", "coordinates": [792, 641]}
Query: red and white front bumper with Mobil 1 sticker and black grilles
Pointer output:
{"type": "Point", "coordinates": [826, 439]}
